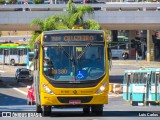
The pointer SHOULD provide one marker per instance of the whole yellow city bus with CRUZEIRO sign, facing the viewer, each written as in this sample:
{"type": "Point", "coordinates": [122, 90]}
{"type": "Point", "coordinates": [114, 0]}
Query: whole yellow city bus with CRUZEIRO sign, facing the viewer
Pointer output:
{"type": "Point", "coordinates": [71, 70]}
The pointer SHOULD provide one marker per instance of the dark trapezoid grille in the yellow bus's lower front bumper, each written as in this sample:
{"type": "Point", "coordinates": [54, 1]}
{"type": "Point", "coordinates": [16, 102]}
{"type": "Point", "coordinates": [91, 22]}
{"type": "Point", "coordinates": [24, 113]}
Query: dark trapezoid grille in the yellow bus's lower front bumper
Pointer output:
{"type": "Point", "coordinates": [82, 99]}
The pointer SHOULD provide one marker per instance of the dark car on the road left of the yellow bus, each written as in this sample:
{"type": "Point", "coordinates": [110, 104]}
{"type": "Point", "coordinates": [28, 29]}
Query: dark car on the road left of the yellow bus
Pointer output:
{"type": "Point", "coordinates": [23, 74]}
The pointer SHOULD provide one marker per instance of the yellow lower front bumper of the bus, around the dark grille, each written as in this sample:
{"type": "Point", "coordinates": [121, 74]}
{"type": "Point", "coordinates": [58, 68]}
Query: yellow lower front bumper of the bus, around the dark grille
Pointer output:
{"type": "Point", "coordinates": [58, 100]}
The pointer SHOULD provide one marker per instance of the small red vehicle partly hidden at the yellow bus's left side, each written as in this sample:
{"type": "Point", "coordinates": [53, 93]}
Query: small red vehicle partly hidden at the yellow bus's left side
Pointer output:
{"type": "Point", "coordinates": [30, 95]}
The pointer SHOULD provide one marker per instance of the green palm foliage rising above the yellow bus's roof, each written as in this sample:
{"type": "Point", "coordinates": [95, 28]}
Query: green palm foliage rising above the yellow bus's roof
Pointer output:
{"type": "Point", "coordinates": [74, 17]}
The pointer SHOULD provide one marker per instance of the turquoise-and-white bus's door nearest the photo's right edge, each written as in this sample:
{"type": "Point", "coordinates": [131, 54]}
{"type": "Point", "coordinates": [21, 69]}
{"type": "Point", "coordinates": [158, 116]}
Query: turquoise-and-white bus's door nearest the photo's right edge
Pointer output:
{"type": "Point", "coordinates": [157, 85]}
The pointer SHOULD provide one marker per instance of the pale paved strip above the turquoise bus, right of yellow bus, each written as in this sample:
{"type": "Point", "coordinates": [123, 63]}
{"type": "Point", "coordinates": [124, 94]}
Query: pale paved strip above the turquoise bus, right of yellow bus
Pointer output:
{"type": "Point", "coordinates": [139, 63]}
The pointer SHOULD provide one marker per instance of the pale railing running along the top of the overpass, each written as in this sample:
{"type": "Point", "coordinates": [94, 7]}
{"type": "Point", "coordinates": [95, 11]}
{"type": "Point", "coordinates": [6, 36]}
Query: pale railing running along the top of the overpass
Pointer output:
{"type": "Point", "coordinates": [111, 6]}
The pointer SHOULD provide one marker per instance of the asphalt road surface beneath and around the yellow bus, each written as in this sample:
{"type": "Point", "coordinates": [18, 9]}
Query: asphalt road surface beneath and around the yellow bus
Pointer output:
{"type": "Point", "coordinates": [11, 100]}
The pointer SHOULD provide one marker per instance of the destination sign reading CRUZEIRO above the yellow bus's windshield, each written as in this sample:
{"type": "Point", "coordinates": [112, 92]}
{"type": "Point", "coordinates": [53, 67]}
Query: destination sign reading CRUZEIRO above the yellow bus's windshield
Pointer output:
{"type": "Point", "coordinates": [73, 37]}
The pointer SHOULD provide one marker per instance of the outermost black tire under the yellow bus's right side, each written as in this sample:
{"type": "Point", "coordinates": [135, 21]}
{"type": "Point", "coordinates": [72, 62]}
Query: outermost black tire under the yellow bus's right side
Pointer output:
{"type": "Point", "coordinates": [97, 109]}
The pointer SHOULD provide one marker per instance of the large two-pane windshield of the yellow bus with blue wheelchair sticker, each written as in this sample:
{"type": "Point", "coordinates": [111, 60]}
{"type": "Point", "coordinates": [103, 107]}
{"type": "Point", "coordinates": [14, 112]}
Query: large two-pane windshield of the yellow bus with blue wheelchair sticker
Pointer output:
{"type": "Point", "coordinates": [71, 63]}
